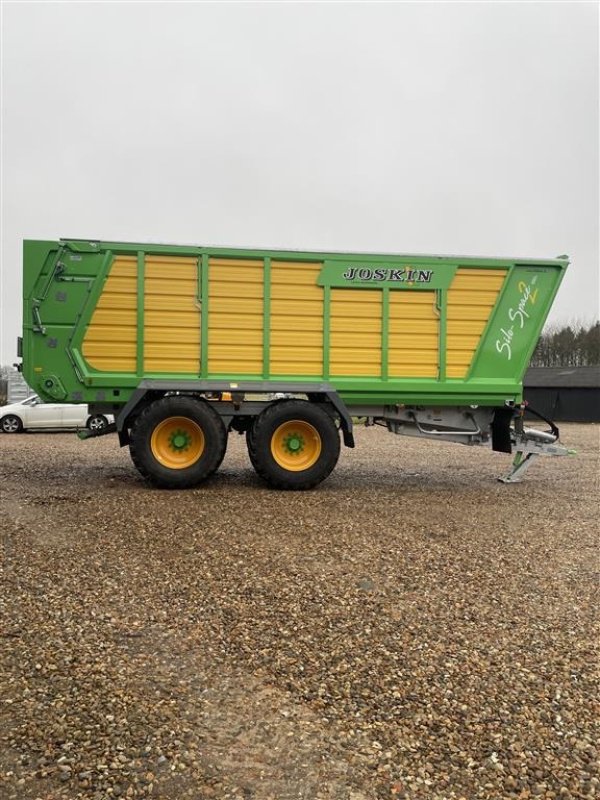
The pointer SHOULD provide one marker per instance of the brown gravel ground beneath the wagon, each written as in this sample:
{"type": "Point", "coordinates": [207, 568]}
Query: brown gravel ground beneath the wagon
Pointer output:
{"type": "Point", "coordinates": [412, 629]}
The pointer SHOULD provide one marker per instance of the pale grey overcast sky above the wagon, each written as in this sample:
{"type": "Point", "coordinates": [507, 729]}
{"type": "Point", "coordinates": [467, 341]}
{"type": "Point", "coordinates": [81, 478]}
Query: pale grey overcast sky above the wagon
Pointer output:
{"type": "Point", "coordinates": [411, 128]}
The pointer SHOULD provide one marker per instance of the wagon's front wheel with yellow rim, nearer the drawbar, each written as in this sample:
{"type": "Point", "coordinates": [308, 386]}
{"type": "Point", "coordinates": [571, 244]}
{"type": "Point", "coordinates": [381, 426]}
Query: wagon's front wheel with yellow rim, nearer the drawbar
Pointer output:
{"type": "Point", "coordinates": [265, 448]}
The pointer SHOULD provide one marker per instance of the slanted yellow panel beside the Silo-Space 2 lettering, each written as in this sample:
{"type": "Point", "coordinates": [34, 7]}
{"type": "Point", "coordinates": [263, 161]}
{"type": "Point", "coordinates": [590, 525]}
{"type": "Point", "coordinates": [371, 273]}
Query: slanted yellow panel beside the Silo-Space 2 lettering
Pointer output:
{"type": "Point", "coordinates": [471, 299]}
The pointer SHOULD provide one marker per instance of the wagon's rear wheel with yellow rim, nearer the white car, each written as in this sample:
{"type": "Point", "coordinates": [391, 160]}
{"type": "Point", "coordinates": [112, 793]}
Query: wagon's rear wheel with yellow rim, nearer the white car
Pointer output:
{"type": "Point", "coordinates": [147, 434]}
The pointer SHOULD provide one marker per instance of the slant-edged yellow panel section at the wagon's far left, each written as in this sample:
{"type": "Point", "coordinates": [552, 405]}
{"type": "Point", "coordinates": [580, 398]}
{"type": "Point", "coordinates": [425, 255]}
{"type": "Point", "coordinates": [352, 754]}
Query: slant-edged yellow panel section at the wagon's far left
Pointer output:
{"type": "Point", "coordinates": [109, 344]}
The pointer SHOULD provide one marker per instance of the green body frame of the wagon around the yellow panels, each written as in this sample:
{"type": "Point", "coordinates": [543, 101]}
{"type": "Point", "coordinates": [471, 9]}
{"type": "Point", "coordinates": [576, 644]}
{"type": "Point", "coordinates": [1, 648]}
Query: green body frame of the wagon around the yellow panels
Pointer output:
{"type": "Point", "coordinates": [63, 281]}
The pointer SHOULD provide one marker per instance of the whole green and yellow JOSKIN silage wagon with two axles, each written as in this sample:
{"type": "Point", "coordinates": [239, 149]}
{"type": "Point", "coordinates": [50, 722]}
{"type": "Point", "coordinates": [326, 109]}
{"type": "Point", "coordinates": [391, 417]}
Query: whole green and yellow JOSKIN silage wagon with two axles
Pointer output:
{"type": "Point", "coordinates": [184, 344]}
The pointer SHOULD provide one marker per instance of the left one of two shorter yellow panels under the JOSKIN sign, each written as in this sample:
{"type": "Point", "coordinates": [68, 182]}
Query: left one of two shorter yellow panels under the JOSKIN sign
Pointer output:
{"type": "Point", "coordinates": [353, 351]}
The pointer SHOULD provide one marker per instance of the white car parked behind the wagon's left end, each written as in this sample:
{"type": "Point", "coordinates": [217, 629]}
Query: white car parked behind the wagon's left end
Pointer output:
{"type": "Point", "coordinates": [32, 413]}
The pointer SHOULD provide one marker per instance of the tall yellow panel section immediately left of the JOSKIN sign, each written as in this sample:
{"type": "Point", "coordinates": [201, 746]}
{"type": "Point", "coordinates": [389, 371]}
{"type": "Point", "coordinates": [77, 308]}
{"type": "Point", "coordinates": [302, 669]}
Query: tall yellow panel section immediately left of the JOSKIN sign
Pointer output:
{"type": "Point", "coordinates": [296, 335]}
